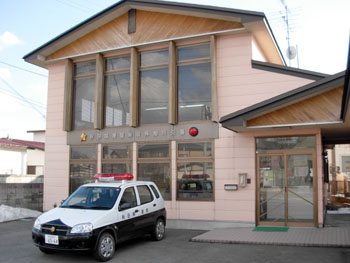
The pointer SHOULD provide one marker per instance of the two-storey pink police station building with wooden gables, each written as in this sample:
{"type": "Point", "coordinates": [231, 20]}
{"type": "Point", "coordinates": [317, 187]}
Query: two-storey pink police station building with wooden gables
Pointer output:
{"type": "Point", "coordinates": [197, 99]}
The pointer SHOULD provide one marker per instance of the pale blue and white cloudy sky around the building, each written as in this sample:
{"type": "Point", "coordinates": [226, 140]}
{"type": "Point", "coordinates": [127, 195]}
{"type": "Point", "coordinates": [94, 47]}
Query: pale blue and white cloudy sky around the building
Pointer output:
{"type": "Point", "coordinates": [318, 29]}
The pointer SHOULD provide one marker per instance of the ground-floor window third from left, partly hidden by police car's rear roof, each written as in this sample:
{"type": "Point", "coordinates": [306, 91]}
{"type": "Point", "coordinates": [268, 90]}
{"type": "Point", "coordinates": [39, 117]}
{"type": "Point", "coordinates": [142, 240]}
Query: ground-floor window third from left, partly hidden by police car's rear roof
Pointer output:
{"type": "Point", "coordinates": [154, 165]}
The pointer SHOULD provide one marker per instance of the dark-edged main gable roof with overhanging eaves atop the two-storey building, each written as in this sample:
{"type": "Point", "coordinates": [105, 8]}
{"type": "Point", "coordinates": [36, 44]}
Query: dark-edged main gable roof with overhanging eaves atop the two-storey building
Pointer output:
{"type": "Point", "coordinates": [252, 21]}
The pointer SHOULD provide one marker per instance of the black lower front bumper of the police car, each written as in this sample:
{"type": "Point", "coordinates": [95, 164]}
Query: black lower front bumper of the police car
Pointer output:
{"type": "Point", "coordinates": [81, 242]}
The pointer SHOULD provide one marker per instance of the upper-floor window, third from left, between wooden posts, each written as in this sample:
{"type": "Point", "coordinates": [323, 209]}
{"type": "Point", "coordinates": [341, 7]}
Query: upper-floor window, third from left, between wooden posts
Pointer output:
{"type": "Point", "coordinates": [154, 82]}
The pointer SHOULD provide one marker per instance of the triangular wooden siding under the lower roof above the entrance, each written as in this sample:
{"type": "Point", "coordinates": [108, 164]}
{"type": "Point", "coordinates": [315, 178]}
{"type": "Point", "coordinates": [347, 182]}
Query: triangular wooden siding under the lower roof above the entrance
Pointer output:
{"type": "Point", "coordinates": [321, 108]}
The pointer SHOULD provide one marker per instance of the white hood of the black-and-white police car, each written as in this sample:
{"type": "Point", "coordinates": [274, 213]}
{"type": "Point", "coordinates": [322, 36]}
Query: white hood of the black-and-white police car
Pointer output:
{"type": "Point", "coordinates": [72, 217]}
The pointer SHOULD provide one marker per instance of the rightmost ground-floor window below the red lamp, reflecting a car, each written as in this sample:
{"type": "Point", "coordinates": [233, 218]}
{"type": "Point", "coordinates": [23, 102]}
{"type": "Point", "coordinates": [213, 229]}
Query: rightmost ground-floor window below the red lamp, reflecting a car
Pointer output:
{"type": "Point", "coordinates": [195, 171]}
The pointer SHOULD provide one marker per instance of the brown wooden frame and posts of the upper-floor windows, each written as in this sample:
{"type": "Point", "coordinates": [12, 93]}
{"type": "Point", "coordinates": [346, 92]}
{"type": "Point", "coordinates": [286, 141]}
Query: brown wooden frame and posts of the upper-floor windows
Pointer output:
{"type": "Point", "coordinates": [135, 71]}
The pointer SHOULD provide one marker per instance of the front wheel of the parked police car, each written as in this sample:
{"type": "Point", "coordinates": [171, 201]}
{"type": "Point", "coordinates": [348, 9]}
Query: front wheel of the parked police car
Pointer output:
{"type": "Point", "coordinates": [105, 248]}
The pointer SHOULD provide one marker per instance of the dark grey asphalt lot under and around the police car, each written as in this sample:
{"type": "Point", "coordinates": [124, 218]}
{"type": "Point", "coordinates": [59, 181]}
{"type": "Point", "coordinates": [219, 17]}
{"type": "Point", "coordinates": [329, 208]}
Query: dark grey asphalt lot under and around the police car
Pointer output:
{"type": "Point", "coordinates": [16, 246]}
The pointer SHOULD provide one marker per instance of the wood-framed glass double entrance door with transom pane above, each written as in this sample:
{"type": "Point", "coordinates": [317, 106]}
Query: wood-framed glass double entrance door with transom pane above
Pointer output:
{"type": "Point", "coordinates": [286, 181]}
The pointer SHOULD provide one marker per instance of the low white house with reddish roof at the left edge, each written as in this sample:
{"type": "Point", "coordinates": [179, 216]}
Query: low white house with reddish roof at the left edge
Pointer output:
{"type": "Point", "coordinates": [20, 157]}
